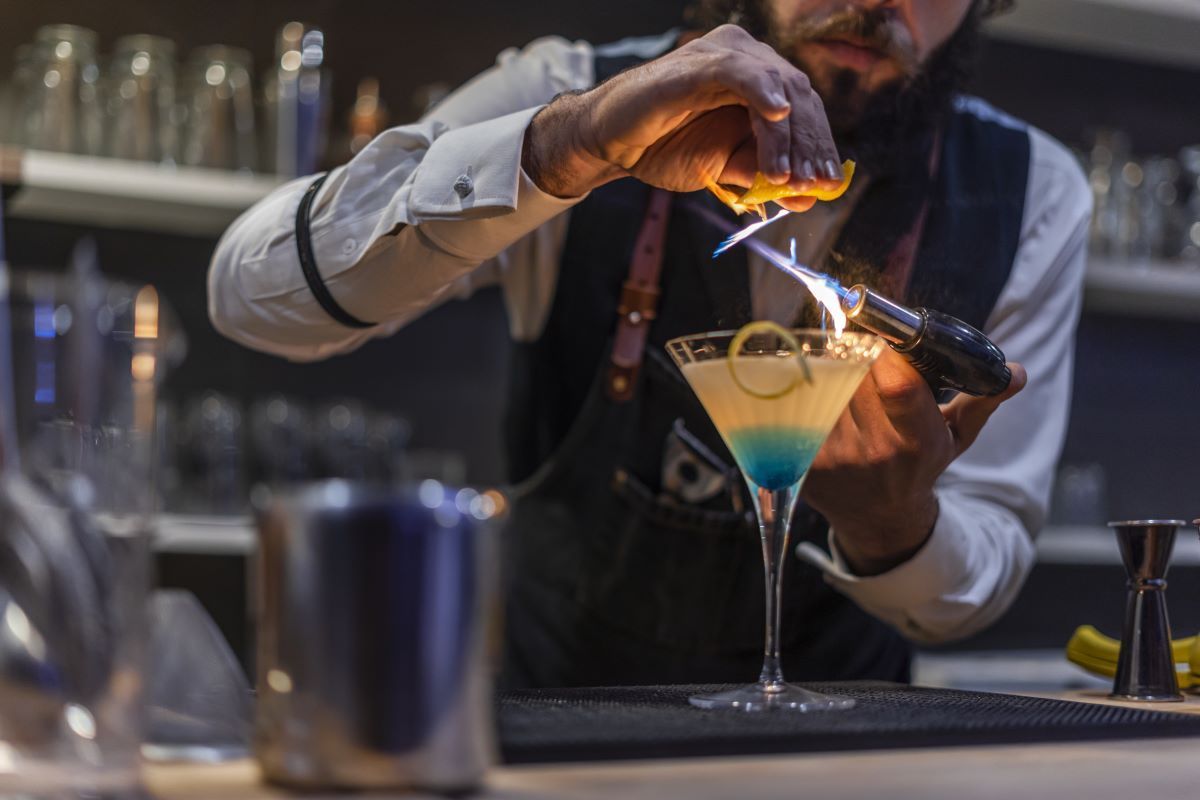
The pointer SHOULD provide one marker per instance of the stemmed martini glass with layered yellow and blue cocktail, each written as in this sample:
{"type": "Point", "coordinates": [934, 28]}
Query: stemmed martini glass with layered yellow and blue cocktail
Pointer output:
{"type": "Point", "coordinates": [775, 396]}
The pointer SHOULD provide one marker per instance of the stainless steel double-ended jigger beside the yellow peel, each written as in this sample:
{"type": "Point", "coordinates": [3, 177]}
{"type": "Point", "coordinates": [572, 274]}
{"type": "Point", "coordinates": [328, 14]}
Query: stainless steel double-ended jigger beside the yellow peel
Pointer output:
{"type": "Point", "coordinates": [1147, 667]}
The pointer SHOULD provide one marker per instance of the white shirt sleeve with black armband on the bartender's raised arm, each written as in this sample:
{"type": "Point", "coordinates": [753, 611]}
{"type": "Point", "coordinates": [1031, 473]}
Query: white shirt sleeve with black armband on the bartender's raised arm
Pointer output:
{"type": "Point", "coordinates": [421, 215]}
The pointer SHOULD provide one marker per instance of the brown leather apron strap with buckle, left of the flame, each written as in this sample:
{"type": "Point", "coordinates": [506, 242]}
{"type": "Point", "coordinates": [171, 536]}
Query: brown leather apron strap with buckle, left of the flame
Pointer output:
{"type": "Point", "coordinates": [639, 299]}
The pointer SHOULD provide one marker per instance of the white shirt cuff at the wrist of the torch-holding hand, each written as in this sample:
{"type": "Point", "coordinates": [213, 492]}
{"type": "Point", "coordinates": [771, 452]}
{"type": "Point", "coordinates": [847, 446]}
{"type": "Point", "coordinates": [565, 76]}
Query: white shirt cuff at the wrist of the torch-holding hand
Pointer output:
{"type": "Point", "coordinates": [913, 591]}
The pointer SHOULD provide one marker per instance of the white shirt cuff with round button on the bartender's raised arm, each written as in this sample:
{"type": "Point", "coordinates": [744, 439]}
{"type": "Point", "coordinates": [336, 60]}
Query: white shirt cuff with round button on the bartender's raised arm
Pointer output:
{"type": "Point", "coordinates": [472, 199]}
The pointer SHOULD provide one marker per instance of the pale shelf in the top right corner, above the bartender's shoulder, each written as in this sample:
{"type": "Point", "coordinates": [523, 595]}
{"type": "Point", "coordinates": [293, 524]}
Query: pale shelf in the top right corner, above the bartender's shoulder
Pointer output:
{"type": "Point", "coordinates": [1160, 32]}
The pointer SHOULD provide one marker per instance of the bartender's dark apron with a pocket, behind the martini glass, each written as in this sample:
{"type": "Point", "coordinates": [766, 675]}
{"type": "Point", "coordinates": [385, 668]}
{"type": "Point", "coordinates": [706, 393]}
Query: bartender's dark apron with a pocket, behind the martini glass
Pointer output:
{"type": "Point", "coordinates": [613, 580]}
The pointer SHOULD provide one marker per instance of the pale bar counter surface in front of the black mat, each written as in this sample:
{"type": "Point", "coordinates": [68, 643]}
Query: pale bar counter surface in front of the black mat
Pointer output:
{"type": "Point", "coordinates": [1097, 771]}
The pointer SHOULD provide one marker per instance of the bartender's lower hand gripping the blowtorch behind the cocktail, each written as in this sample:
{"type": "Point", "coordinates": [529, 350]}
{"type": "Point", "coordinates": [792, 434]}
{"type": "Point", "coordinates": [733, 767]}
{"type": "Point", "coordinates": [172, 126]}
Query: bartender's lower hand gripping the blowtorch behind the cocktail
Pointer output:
{"type": "Point", "coordinates": [874, 478]}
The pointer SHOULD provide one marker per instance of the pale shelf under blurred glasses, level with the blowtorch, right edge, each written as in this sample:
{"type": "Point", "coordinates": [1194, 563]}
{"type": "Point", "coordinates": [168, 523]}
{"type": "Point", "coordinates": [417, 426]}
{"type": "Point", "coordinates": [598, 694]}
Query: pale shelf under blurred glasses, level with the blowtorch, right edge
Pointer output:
{"type": "Point", "coordinates": [1156, 290]}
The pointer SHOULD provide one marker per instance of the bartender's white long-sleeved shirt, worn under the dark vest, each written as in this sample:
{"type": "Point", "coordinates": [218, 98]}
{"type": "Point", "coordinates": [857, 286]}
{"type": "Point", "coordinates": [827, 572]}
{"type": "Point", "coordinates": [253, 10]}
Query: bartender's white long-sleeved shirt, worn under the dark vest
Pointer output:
{"type": "Point", "coordinates": [393, 239]}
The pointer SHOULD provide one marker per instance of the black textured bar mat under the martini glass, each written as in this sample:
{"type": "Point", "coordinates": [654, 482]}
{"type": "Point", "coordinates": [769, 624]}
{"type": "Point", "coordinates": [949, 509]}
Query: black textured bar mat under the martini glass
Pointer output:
{"type": "Point", "coordinates": [573, 725]}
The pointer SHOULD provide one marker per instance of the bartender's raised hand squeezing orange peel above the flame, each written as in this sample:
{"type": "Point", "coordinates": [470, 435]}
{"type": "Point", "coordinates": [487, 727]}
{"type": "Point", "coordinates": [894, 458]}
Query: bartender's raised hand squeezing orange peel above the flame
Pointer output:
{"type": "Point", "coordinates": [722, 107]}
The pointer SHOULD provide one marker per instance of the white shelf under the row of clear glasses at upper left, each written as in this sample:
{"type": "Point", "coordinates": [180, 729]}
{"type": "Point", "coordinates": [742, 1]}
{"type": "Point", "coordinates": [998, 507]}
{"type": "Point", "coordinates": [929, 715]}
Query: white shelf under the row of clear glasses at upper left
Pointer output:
{"type": "Point", "coordinates": [113, 194]}
